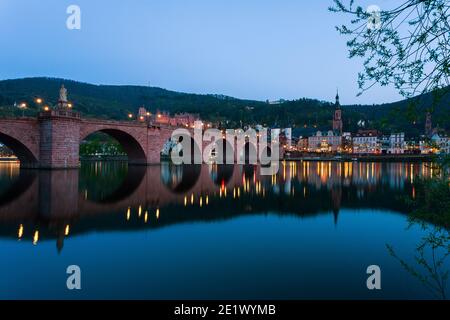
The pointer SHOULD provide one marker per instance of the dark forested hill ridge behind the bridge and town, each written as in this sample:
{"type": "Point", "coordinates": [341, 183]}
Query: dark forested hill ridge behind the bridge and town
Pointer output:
{"type": "Point", "coordinates": [305, 115]}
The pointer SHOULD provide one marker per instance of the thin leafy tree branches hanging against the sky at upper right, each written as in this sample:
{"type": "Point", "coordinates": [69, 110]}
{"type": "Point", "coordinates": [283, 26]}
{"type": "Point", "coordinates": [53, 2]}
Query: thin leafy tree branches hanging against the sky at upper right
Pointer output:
{"type": "Point", "coordinates": [407, 45]}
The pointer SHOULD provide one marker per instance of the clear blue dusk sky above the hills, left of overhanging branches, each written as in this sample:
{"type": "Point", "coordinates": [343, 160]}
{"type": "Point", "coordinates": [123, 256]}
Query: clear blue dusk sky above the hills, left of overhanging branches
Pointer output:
{"type": "Point", "coordinates": [255, 49]}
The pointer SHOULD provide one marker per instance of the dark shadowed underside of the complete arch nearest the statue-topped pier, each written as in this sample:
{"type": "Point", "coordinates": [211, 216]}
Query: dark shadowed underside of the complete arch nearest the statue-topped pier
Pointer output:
{"type": "Point", "coordinates": [128, 140]}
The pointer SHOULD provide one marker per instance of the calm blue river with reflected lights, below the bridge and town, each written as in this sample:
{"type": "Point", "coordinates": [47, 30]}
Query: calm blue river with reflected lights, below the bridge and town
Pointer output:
{"type": "Point", "coordinates": [207, 232]}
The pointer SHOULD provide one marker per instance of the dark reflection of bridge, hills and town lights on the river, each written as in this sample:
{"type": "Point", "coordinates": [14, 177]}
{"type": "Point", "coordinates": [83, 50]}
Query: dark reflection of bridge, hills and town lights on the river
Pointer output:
{"type": "Point", "coordinates": [112, 196]}
